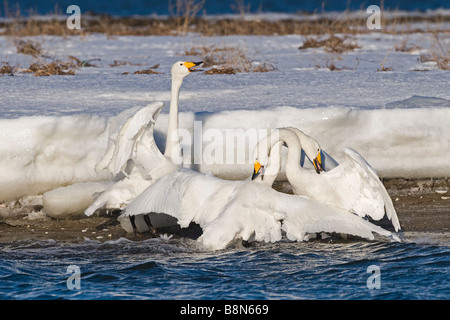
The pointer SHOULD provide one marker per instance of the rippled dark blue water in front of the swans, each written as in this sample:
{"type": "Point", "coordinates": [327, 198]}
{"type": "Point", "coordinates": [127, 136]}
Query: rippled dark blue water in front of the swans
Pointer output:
{"type": "Point", "coordinates": [176, 269]}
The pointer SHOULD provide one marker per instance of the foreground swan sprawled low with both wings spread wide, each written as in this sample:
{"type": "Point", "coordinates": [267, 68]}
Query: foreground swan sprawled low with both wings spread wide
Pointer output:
{"type": "Point", "coordinates": [245, 209]}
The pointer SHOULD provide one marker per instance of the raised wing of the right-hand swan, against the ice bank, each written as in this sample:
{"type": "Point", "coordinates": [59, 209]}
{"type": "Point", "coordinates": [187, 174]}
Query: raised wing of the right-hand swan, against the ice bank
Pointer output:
{"type": "Point", "coordinates": [359, 189]}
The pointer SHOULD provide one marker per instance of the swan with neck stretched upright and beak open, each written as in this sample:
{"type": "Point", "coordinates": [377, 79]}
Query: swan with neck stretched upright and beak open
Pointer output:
{"type": "Point", "coordinates": [135, 142]}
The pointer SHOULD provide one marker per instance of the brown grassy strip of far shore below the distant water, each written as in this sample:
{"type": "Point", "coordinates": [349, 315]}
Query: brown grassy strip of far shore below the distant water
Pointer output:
{"type": "Point", "coordinates": [267, 24]}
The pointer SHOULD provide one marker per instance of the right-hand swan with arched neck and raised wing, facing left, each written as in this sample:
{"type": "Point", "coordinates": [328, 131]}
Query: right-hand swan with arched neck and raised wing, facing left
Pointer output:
{"type": "Point", "coordinates": [353, 185]}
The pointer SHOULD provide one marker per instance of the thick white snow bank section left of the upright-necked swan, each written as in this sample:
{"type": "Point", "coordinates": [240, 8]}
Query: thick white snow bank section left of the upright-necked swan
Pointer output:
{"type": "Point", "coordinates": [41, 153]}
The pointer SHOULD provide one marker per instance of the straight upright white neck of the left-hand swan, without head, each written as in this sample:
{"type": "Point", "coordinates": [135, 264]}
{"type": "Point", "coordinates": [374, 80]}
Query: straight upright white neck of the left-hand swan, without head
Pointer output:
{"type": "Point", "coordinates": [173, 139]}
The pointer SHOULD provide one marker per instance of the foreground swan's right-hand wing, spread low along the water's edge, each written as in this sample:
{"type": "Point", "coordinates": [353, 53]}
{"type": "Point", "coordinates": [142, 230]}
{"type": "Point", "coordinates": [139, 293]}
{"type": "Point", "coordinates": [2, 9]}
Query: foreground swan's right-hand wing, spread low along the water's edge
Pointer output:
{"type": "Point", "coordinates": [256, 211]}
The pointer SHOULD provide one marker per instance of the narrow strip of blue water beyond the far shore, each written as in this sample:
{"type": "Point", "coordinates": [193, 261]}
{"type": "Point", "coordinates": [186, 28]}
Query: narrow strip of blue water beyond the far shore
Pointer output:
{"type": "Point", "coordinates": [148, 7]}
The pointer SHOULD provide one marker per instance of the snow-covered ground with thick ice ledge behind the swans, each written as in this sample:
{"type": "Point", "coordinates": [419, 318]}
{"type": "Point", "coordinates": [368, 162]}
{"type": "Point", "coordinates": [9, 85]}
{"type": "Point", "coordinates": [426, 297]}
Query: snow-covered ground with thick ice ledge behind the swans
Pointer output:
{"type": "Point", "coordinates": [53, 130]}
